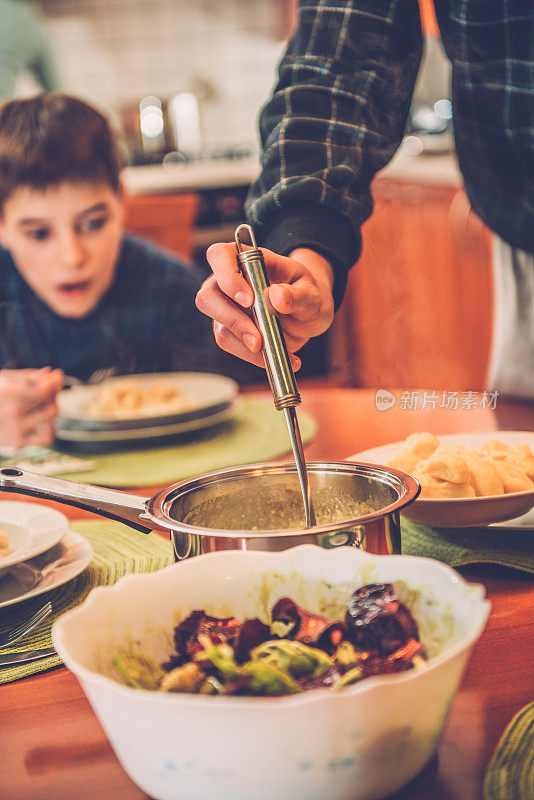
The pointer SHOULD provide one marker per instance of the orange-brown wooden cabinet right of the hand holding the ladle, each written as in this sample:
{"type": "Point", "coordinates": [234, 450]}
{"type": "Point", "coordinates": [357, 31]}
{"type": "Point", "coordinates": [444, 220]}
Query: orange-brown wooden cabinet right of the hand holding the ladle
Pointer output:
{"type": "Point", "coordinates": [418, 308]}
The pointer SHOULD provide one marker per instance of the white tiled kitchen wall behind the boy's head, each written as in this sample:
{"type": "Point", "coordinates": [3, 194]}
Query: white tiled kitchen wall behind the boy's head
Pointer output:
{"type": "Point", "coordinates": [116, 51]}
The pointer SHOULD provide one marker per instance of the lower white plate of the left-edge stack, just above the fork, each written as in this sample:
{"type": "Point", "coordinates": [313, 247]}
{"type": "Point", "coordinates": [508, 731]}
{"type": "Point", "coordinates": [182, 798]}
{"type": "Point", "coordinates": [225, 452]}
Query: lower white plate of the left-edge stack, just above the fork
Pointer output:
{"type": "Point", "coordinates": [60, 564]}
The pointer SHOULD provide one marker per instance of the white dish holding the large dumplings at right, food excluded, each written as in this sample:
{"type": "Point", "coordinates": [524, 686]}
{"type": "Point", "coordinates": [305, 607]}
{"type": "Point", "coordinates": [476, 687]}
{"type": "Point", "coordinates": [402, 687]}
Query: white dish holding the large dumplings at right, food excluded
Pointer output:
{"type": "Point", "coordinates": [511, 511]}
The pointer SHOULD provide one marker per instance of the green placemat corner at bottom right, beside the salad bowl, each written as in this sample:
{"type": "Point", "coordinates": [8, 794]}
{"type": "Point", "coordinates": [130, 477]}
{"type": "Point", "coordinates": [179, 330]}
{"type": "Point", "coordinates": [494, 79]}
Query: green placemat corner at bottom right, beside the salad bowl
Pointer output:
{"type": "Point", "coordinates": [510, 774]}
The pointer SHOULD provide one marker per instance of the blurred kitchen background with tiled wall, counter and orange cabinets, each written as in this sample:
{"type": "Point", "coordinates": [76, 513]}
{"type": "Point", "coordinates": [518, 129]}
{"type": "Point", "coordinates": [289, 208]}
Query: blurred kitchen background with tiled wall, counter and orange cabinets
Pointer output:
{"type": "Point", "coordinates": [184, 80]}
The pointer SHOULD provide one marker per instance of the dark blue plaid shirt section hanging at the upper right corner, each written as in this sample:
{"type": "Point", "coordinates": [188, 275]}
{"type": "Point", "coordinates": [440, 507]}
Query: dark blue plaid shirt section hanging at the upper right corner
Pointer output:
{"type": "Point", "coordinates": [491, 47]}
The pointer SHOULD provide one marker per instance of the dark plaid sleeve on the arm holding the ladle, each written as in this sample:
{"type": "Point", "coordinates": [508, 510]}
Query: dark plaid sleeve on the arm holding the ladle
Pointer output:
{"type": "Point", "coordinates": [336, 116]}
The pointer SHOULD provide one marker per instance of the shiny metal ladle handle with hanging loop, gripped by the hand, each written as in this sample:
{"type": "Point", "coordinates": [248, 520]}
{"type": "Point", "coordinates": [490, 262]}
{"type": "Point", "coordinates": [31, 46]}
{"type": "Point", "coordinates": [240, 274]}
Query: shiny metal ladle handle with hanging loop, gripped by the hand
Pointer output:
{"type": "Point", "coordinates": [277, 361]}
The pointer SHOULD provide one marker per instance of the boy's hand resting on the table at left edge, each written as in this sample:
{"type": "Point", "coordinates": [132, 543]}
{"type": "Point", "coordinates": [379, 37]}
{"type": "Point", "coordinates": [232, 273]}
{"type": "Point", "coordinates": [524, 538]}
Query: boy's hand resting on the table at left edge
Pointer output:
{"type": "Point", "coordinates": [28, 406]}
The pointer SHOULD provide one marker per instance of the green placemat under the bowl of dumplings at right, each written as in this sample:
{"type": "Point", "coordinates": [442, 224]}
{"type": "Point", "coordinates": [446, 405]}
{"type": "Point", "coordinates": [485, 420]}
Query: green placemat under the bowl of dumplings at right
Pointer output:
{"type": "Point", "coordinates": [460, 546]}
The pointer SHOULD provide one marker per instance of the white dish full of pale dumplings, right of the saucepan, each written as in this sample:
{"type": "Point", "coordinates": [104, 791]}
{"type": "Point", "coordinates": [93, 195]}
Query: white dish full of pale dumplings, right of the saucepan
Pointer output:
{"type": "Point", "coordinates": [467, 479]}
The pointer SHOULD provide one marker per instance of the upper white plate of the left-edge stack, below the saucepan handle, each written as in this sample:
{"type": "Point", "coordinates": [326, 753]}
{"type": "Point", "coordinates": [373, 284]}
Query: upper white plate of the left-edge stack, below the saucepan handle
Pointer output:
{"type": "Point", "coordinates": [30, 528]}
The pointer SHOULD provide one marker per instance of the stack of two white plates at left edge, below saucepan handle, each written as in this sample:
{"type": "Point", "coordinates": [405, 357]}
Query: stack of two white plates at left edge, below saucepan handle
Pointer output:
{"type": "Point", "coordinates": [45, 553]}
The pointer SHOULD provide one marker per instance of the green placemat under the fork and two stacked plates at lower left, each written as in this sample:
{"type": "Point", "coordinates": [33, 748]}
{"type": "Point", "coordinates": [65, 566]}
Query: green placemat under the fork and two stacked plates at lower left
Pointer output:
{"type": "Point", "coordinates": [117, 551]}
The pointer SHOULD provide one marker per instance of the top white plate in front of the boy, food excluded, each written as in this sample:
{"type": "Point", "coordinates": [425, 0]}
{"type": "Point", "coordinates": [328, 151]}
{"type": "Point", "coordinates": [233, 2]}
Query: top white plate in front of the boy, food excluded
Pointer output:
{"type": "Point", "coordinates": [206, 393]}
